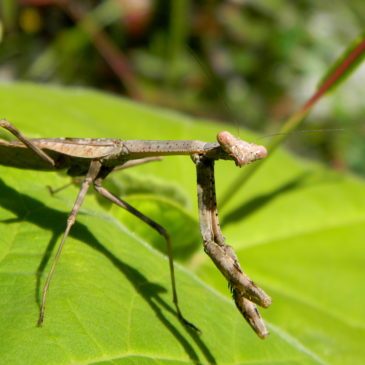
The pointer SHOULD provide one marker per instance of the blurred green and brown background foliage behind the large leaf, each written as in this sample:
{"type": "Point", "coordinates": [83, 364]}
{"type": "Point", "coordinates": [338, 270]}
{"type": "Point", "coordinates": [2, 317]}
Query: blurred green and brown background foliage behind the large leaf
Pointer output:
{"type": "Point", "coordinates": [251, 62]}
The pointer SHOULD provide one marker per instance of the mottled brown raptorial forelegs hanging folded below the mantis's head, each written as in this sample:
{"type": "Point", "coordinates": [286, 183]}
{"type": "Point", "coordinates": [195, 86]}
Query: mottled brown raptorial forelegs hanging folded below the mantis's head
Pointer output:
{"type": "Point", "coordinates": [244, 290]}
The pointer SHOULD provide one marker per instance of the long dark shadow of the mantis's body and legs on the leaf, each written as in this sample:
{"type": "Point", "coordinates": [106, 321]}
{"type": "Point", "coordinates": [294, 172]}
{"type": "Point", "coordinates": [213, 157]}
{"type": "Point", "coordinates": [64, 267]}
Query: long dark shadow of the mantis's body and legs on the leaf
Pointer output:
{"type": "Point", "coordinates": [29, 209]}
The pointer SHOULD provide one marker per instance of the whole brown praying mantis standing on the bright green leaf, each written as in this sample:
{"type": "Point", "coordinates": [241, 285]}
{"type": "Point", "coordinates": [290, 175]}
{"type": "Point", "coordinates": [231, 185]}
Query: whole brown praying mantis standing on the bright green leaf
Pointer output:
{"type": "Point", "coordinates": [95, 159]}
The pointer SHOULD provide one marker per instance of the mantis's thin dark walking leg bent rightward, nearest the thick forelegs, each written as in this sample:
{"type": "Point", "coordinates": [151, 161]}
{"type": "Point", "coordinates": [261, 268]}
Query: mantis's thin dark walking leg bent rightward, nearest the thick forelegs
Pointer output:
{"type": "Point", "coordinates": [158, 228]}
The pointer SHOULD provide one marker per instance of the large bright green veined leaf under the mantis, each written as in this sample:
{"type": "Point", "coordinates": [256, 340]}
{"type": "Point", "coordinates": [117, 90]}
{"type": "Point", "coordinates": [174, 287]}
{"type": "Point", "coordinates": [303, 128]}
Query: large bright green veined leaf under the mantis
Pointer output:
{"type": "Point", "coordinates": [298, 229]}
